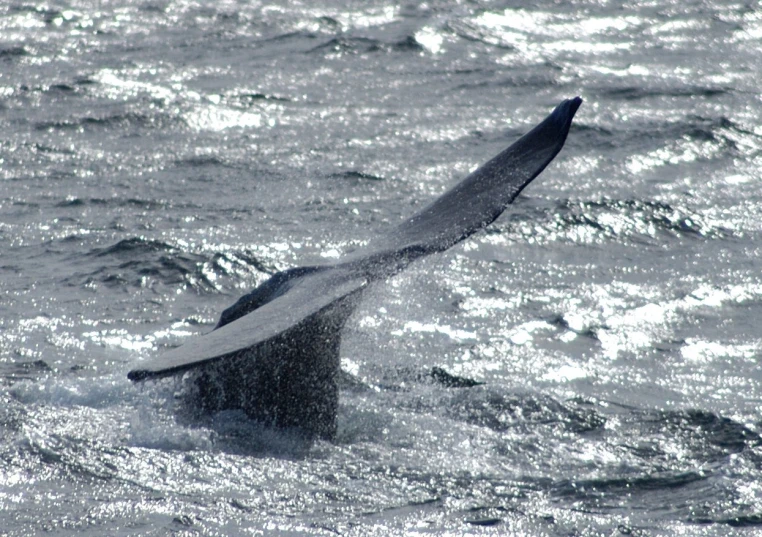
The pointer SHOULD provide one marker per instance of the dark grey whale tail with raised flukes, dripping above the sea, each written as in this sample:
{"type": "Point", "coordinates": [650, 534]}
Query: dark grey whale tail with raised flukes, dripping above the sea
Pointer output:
{"type": "Point", "coordinates": [275, 352]}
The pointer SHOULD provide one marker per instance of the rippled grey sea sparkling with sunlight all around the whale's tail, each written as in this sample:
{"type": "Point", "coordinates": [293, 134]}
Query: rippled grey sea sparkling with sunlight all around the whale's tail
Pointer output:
{"type": "Point", "coordinates": [158, 159]}
